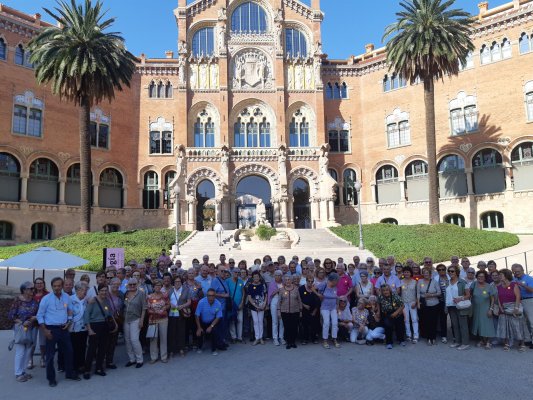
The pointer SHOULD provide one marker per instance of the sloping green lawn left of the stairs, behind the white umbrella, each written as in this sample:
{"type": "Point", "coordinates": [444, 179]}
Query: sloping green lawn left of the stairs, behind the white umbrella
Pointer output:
{"type": "Point", "coordinates": [137, 244]}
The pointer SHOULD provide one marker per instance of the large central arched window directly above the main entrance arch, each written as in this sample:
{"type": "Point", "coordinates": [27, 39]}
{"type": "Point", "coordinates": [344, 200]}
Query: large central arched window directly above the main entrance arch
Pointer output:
{"type": "Point", "coordinates": [252, 129]}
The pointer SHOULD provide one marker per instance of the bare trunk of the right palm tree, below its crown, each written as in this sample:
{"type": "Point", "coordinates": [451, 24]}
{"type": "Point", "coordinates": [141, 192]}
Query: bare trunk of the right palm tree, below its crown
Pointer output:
{"type": "Point", "coordinates": [431, 148]}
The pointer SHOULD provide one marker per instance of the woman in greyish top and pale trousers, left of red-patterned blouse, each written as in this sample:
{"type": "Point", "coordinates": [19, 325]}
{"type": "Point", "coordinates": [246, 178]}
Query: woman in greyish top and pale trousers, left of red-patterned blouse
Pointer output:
{"type": "Point", "coordinates": [134, 311]}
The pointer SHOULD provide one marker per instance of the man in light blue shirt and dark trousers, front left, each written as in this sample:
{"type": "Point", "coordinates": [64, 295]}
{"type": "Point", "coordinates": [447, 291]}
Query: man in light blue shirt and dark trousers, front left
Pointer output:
{"type": "Point", "coordinates": [55, 317]}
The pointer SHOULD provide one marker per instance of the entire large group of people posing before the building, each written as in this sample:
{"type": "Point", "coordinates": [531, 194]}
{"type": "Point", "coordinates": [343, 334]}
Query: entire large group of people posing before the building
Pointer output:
{"type": "Point", "coordinates": [166, 310]}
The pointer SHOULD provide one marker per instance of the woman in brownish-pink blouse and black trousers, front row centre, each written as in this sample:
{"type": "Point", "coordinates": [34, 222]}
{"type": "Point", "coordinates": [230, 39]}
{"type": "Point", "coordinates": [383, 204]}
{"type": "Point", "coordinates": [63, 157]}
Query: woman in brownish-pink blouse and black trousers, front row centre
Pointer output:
{"type": "Point", "coordinates": [289, 309]}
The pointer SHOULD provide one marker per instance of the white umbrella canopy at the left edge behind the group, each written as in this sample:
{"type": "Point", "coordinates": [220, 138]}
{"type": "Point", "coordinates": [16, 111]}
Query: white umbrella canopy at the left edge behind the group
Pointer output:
{"type": "Point", "coordinates": [44, 258]}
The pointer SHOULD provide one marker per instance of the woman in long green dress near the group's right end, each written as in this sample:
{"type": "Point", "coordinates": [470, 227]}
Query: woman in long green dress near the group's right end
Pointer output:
{"type": "Point", "coordinates": [483, 301]}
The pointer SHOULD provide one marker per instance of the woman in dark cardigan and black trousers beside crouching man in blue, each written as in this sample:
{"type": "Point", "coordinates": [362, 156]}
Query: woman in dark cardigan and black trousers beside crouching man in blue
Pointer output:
{"type": "Point", "coordinates": [180, 303]}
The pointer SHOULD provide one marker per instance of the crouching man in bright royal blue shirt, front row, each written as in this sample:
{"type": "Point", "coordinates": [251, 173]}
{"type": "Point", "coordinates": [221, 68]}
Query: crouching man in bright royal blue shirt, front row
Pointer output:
{"type": "Point", "coordinates": [208, 315]}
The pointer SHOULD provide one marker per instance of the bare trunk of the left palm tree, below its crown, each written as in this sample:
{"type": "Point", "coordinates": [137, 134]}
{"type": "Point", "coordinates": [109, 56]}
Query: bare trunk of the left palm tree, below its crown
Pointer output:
{"type": "Point", "coordinates": [85, 166]}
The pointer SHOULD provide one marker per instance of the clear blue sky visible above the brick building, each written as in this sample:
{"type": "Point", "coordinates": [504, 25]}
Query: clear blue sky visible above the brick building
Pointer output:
{"type": "Point", "coordinates": [149, 26]}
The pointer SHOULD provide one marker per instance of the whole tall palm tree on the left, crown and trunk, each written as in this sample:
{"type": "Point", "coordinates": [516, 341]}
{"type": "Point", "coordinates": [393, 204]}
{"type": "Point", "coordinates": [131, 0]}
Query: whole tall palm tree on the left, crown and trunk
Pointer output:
{"type": "Point", "coordinates": [84, 65]}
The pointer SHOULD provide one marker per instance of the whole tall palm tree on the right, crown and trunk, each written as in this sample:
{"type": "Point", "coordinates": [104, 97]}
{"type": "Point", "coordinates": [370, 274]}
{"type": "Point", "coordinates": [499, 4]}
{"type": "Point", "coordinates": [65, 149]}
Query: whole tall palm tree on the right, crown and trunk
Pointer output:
{"type": "Point", "coordinates": [429, 41]}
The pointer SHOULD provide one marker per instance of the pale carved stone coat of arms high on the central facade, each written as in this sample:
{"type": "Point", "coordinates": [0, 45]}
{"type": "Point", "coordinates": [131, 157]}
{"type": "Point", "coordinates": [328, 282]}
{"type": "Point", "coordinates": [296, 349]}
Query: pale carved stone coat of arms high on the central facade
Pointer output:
{"type": "Point", "coordinates": [252, 70]}
